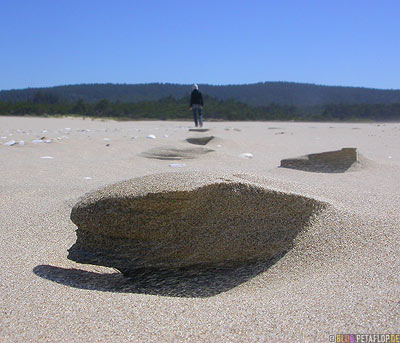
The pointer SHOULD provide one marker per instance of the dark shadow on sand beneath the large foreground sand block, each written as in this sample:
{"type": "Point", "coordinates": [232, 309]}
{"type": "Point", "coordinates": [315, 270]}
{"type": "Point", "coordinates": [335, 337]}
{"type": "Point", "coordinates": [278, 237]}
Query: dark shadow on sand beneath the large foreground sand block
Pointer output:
{"type": "Point", "coordinates": [192, 283]}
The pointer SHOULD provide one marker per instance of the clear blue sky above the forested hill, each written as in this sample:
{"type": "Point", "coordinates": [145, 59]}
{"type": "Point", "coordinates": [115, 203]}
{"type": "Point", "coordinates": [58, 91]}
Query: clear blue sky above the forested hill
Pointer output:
{"type": "Point", "coordinates": [54, 42]}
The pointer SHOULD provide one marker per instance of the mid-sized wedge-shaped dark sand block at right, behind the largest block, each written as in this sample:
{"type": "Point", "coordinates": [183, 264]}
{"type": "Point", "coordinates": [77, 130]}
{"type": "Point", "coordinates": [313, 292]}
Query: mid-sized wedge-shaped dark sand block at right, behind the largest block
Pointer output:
{"type": "Point", "coordinates": [326, 162]}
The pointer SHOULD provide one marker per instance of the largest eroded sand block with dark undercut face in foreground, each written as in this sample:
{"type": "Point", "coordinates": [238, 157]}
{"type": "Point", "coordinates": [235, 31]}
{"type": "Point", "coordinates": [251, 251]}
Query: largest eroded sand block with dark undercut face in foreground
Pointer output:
{"type": "Point", "coordinates": [177, 220]}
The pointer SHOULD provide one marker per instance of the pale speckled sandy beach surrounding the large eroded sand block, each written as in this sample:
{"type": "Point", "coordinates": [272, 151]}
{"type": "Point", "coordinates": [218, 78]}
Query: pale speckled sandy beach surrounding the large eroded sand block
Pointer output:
{"type": "Point", "coordinates": [341, 275]}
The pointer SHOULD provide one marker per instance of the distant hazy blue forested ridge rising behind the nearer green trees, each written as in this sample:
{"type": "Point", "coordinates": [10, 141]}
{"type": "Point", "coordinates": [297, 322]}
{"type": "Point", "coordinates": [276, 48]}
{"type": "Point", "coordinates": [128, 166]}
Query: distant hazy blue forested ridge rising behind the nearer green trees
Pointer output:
{"type": "Point", "coordinates": [258, 94]}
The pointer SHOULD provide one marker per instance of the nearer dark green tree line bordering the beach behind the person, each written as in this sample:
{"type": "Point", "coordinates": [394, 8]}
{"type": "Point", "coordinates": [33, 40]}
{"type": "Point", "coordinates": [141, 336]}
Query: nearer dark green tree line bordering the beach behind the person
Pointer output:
{"type": "Point", "coordinates": [50, 104]}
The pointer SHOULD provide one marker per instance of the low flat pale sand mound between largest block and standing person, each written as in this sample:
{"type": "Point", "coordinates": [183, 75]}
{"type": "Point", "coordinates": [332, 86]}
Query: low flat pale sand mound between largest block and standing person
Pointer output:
{"type": "Point", "coordinates": [171, 153]}
